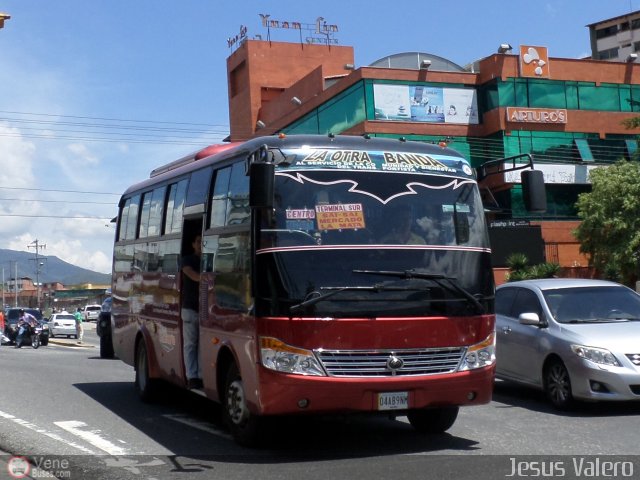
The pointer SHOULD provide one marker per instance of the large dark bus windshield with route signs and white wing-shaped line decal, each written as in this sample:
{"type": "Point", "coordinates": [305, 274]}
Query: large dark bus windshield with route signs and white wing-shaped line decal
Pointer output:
{"type": "Point", "coordinates": [328, 226]}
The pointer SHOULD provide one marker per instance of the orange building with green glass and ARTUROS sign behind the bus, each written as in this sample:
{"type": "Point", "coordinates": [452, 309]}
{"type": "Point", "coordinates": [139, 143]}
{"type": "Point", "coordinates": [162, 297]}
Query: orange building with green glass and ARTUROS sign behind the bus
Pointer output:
{"type": "Point", "coordinates": [568, 113]}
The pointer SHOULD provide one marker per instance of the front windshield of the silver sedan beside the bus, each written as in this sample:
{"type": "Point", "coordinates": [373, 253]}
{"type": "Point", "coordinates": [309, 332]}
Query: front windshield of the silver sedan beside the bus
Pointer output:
{"type": "Point", "coordinates": [593, 304]}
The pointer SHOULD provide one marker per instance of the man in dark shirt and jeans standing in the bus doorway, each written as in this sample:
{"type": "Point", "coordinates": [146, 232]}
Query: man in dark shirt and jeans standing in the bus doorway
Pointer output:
{"type": "Point", "coordinates": [190, 313]}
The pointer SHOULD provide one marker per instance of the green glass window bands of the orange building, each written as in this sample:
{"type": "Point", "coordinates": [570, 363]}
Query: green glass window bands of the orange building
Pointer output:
{"type": "Point", "coordinates": [356, 105]}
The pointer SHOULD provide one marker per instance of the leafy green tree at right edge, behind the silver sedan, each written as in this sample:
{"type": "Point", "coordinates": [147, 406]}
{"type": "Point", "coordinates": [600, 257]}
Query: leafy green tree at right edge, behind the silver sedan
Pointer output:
{"type": "Point", "coordinates": [609, 233]}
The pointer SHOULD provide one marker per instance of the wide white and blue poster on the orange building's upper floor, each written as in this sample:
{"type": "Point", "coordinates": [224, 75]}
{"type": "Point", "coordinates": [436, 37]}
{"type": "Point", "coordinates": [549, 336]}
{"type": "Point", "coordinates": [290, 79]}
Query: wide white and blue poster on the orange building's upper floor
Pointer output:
{"type": "Point", "coordinates": [419, 103]}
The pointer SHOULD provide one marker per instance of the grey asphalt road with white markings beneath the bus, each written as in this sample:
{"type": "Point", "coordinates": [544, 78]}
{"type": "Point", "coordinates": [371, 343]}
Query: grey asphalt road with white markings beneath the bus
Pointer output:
{"type": "Point", "coordinates": [78, 415]}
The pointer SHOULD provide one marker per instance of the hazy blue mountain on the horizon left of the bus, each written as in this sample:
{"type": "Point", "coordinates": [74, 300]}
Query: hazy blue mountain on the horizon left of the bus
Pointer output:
{"type": "Point", "coordinates": [52, 269]}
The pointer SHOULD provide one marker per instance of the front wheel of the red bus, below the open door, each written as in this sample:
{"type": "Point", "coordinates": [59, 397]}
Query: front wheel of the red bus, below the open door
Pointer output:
{"type": "Point", "coordinates": [244, 426]}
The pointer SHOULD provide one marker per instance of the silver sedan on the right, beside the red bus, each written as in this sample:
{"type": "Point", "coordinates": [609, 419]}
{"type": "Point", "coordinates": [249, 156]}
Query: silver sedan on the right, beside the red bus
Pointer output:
{"type": "Point", "coordinates": [572, 338]}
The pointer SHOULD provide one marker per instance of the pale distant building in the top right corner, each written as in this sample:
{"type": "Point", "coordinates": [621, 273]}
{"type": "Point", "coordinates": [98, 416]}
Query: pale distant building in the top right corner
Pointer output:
{"type": "Point", "coordinates": [615, 39]}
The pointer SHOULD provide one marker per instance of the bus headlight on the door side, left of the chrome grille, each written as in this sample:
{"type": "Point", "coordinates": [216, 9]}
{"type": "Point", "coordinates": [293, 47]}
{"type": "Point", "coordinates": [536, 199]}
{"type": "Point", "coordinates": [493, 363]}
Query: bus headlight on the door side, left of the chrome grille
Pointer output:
{"type": "Point", "coordinates": [277, 355]}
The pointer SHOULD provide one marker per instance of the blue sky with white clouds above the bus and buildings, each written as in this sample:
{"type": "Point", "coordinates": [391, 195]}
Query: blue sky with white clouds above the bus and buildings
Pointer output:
{"type": "Point", "coordinates": [94, 94]}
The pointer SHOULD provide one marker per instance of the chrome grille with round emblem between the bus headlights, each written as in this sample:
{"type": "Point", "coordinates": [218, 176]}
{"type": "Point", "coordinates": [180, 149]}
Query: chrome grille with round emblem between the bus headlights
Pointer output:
{"type": "Point", "coordinates": [379, 363]}
